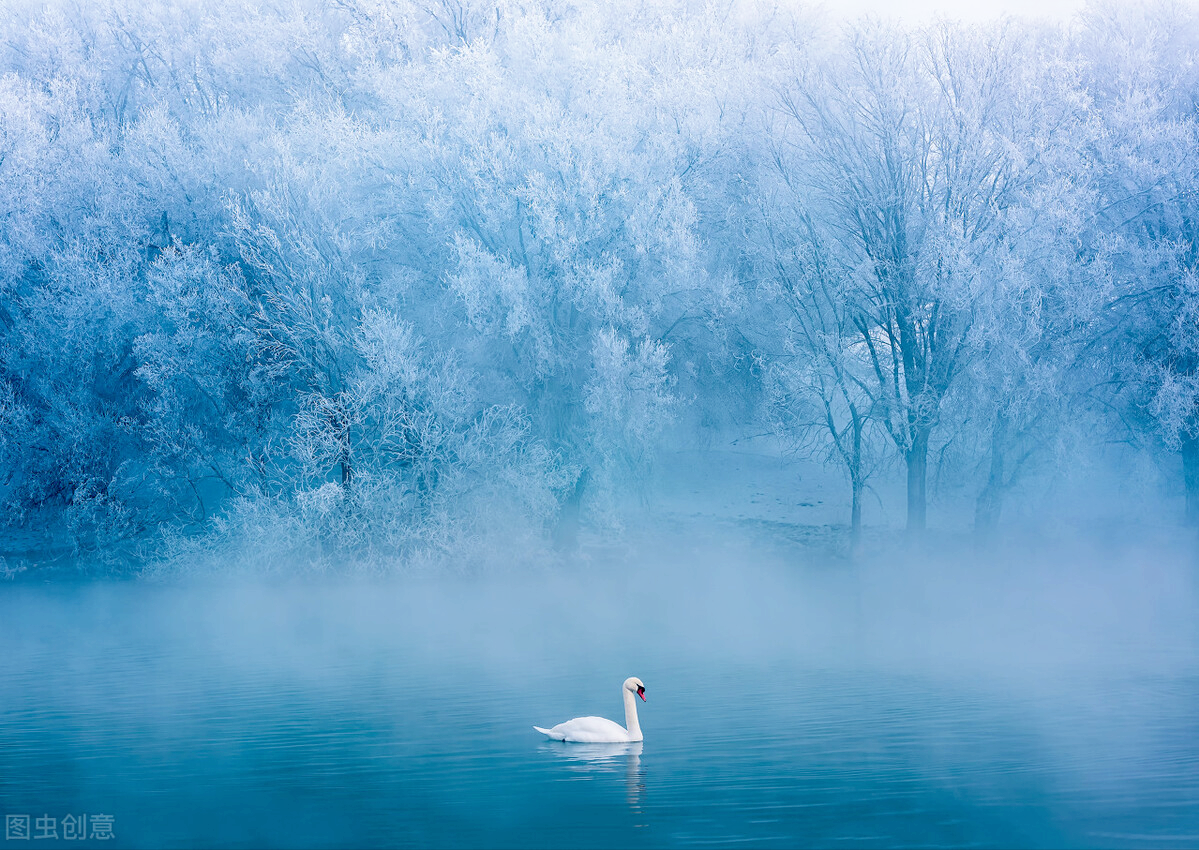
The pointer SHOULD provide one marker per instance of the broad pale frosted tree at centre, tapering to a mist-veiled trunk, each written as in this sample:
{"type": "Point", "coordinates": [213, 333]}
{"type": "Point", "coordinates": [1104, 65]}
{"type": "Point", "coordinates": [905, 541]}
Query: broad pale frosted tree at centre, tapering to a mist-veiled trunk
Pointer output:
{"type": "Point", "coordinates": [558, 172]}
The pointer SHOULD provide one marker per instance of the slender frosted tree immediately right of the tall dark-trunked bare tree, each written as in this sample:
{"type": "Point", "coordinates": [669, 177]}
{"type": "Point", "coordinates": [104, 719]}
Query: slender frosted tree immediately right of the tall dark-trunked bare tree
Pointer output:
{"type": "Point", "coordinates": [1034, 302]}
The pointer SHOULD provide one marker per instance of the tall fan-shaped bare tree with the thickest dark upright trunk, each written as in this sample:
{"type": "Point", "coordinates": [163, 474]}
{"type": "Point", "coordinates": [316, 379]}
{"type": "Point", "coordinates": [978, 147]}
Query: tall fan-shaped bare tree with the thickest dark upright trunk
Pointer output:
{"type": "Point", "coordinates": [902, 147]}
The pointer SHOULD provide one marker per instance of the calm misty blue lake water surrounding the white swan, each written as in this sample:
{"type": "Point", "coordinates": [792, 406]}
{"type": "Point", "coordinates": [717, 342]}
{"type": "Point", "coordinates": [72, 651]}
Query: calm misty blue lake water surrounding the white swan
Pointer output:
{"type": "Point", "coordinates": [400, 715]}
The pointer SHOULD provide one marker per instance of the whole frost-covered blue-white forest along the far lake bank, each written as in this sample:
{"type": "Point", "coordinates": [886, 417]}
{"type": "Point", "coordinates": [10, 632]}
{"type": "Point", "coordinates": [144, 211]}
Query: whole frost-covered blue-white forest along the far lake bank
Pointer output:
{"type": "Point", "coordinates": [394, 280]}
